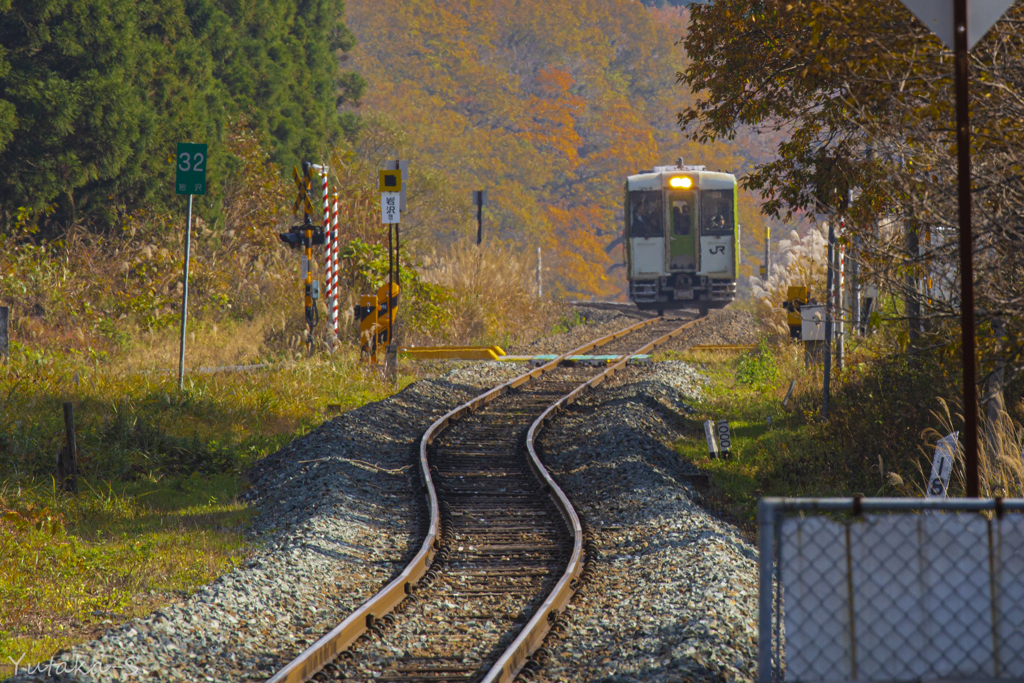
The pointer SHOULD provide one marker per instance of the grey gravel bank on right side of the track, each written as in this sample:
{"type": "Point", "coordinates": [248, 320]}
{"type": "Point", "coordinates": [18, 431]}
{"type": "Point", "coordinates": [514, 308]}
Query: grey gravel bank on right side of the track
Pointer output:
{"type": "Point", "coordinates": [674, 596]}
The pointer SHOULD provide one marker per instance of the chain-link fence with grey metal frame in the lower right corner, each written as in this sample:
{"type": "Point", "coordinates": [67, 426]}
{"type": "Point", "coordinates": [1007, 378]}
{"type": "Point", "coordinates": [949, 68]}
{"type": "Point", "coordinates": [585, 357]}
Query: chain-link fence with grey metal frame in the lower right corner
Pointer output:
{"type": "Point", "coordinates": [891, 590]}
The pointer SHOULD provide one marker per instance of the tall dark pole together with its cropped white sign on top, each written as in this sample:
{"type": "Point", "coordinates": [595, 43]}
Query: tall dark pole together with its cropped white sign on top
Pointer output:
{"type": "Point", "coordinates": [961, 24]}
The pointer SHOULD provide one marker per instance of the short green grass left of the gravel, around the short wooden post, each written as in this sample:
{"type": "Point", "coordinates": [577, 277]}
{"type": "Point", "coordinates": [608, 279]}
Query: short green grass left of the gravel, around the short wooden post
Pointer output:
{"type": "Point", "coordinates": [158, 513]}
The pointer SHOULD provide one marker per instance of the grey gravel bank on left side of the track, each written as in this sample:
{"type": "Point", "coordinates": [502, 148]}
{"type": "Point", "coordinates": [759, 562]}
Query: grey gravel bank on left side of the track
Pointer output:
{"type": "Point", "coordinates": [337, 519]}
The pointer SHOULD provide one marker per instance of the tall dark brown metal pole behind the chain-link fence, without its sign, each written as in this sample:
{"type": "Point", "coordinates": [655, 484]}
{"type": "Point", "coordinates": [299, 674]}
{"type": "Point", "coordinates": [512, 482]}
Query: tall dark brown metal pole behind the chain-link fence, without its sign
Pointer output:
{"type": "Point", "coordinates": [967, 252]}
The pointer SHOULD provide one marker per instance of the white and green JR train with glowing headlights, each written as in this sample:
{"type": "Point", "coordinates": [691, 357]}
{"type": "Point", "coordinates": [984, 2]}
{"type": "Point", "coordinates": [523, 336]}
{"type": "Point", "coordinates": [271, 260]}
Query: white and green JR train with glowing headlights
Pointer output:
{"type": "Point", "coordinates": [682, 240]}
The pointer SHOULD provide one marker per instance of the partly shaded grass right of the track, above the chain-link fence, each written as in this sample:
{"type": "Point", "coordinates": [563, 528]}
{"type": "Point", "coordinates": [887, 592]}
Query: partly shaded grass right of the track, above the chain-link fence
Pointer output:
{"type": "Point", "coordinates": [875, 443]}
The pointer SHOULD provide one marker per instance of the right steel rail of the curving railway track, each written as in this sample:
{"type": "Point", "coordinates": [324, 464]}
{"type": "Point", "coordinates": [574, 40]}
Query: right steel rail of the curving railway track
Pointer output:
{"type": "Point", "coordinates": [516, 656]}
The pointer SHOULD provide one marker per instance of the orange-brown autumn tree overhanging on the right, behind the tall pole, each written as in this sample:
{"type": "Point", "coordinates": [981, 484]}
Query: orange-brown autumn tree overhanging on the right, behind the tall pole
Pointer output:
{"type": "Point", "coordinates": [865, 92]}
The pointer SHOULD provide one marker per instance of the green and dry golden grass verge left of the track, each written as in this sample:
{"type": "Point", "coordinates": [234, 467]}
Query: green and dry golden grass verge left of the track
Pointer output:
{"type": "Point", "coordinates": [96, 322]}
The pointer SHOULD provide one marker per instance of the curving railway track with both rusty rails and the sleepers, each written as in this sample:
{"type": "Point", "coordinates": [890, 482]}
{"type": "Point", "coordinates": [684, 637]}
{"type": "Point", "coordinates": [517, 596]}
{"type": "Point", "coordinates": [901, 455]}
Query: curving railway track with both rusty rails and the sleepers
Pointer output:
{"type": "Point", "coordinates": [503, 549]}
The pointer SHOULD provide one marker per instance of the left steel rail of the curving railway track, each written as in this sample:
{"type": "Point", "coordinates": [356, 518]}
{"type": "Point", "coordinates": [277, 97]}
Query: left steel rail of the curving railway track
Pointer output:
{"type": "Point", "coordinates": [328, 648]}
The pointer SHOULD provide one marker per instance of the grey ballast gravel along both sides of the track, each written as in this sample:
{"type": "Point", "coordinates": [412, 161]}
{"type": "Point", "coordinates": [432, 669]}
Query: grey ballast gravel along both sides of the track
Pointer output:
{"type": "Point", "coordinates": [674, 594]}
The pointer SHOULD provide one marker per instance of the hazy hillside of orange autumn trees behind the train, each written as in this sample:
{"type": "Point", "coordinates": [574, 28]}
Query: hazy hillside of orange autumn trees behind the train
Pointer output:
{"type": "Point", "coordinates": [547, 104]}
